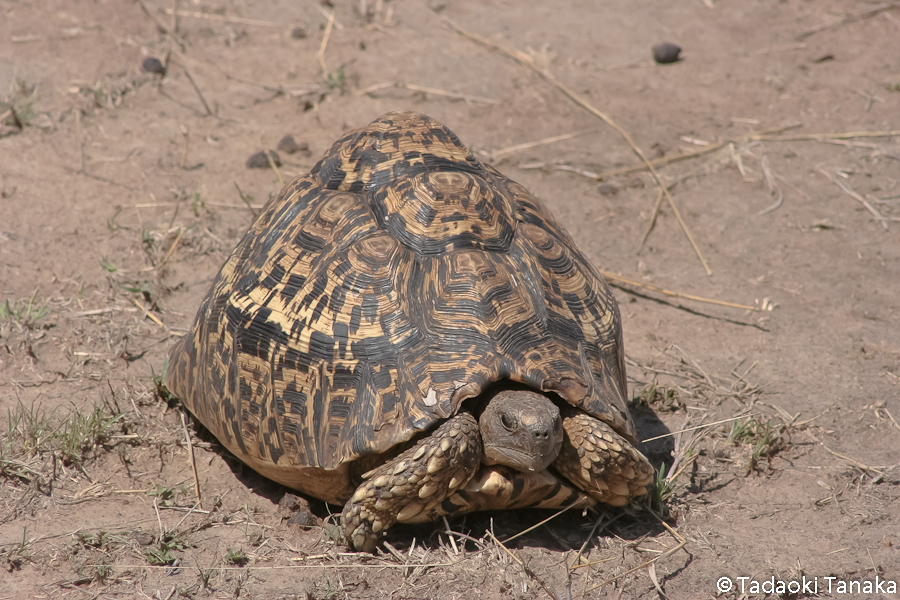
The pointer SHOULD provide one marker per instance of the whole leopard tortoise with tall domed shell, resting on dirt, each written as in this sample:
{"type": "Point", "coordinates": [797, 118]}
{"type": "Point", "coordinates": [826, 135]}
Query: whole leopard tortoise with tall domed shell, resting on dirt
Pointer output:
{"type": "Point", "coordinates": [409, 333]}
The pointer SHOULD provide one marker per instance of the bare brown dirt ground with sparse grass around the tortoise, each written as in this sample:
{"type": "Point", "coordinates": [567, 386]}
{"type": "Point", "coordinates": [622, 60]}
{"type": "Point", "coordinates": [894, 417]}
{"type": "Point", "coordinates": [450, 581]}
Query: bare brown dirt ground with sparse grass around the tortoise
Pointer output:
{"type": "Point", "coordinates": [122, 191]}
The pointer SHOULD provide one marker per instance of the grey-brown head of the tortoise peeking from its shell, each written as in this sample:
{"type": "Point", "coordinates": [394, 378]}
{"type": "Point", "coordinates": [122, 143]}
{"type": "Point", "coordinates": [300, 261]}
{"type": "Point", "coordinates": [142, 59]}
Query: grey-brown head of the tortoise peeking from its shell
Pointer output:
{"type": "Point", "coordinates": [521, 429]}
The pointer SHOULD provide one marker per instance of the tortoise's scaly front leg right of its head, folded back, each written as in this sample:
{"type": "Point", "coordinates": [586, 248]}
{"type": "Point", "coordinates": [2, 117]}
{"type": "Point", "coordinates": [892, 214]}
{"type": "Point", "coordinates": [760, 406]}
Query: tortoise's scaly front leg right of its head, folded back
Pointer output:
{"type": "Point", "coordinates": [599, 461]}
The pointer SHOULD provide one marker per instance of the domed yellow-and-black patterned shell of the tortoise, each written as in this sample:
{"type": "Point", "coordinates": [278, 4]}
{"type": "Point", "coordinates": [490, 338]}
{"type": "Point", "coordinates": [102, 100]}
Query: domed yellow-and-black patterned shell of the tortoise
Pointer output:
{"type": "Point", "coordinates": [375, 294]}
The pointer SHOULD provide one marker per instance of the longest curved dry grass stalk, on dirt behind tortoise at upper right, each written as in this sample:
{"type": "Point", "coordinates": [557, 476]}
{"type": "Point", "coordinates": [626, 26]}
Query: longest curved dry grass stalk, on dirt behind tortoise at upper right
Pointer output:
{"type": "Point", "coordinates": [528, 61]}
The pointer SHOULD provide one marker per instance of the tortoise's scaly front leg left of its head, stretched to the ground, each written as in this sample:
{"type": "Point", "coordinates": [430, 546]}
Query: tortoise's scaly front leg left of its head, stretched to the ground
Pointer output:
{"type": "Point", "coordinates": [415, 481]}
